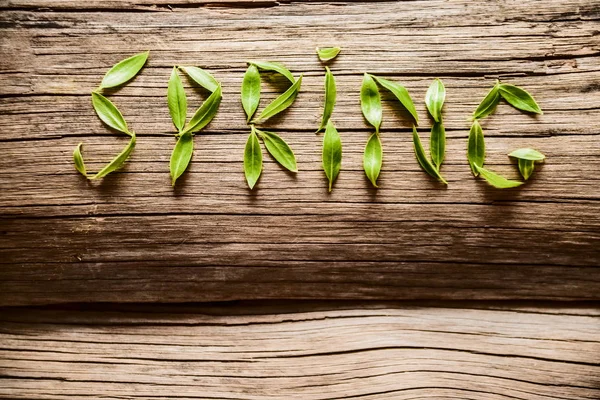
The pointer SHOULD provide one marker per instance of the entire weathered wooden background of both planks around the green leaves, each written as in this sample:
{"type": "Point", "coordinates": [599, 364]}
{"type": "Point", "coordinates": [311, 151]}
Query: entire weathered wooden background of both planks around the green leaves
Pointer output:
{"type": "Point", "coordinates": [133, 238]}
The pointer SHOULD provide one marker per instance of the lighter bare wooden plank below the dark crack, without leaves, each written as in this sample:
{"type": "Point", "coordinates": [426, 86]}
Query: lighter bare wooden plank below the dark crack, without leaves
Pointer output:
{"type": "Point", "coordinates": [389, 351]}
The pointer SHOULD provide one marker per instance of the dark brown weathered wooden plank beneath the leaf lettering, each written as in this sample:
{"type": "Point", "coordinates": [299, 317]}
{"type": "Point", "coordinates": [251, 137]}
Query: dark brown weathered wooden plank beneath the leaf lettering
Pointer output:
{"type": "Point", "coordinates": [133, 238]}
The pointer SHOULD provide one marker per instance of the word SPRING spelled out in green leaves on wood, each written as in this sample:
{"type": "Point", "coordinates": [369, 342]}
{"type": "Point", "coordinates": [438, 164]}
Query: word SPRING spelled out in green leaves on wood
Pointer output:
{"type": "Point", "coordinates": [279, 149]}
